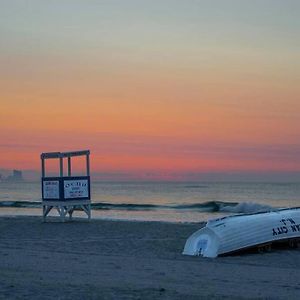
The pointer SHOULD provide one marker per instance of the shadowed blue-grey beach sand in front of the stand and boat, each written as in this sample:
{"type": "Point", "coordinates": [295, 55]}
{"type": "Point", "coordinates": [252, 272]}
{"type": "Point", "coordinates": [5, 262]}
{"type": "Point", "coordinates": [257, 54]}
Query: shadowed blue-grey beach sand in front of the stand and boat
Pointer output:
{"type": "Point", "coordinates": [132, 260]}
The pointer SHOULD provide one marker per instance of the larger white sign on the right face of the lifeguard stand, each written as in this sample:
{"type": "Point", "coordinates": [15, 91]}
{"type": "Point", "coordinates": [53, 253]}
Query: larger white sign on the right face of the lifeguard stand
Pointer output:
{"type": "Point", "coordinates": [76, 189]}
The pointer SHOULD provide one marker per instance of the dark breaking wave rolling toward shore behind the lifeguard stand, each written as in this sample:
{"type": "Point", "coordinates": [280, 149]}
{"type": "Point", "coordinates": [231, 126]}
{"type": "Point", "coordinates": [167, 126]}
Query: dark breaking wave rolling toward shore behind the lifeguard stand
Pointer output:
{"type": "Point", "coordinates": [210, 206]}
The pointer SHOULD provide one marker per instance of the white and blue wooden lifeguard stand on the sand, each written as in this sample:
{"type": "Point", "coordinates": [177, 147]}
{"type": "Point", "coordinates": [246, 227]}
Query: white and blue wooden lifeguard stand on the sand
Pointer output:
{"type": "Point", "coordinates": [66, 193]}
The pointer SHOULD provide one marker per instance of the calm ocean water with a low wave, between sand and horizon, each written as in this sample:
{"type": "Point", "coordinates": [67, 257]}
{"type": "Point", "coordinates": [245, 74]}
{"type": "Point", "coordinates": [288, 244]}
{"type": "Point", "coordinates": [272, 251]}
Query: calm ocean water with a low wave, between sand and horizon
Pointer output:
{"type": "Point", "coordinates": [161, 201]}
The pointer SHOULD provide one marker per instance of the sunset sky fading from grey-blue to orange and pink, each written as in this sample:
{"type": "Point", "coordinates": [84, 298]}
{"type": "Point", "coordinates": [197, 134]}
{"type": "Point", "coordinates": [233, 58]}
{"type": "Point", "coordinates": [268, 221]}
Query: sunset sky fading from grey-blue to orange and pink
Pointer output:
{"type": "Point", "coordinates": [155, 89]}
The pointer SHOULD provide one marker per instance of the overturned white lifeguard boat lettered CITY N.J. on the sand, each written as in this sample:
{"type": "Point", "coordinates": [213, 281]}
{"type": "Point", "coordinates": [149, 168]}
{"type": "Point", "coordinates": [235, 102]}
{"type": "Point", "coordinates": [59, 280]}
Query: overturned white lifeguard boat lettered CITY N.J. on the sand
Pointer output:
{"type": "Point", "coordinates": [233, 233]}
